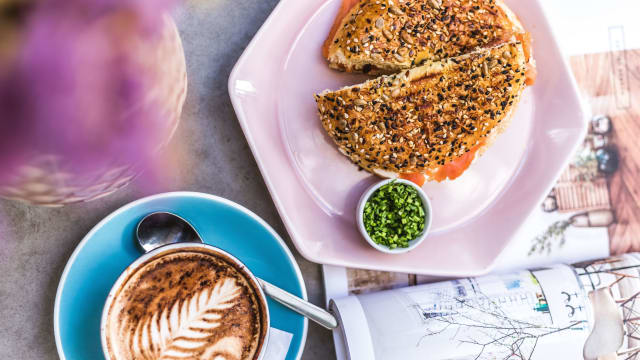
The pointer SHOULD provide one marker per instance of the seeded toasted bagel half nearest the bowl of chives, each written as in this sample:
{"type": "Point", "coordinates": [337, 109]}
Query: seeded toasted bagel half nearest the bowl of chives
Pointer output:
{"type": "Point", "coordinates": [429, 120]}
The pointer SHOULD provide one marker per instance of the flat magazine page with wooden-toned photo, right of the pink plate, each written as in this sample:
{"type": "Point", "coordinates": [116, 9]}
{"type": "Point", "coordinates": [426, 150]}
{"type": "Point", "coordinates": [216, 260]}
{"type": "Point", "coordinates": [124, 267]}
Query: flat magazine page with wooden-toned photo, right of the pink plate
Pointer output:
{"type": "Point", "coordinates": [594, 207]}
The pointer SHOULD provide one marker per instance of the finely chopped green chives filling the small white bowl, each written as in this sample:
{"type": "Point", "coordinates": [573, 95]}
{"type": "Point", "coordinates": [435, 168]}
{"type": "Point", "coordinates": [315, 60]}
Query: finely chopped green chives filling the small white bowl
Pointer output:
{"type": "Point", "coordinates": [394, 215]}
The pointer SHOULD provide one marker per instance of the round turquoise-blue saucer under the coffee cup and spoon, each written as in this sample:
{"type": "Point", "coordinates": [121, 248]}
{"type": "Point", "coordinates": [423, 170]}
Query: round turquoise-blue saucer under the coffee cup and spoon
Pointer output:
{"type": "Point", "coordinates": [109, 248]}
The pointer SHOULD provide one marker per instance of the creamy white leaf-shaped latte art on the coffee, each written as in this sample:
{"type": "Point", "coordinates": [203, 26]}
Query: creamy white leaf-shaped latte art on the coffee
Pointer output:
{"type": "Point", "coordinates": [179, 331]}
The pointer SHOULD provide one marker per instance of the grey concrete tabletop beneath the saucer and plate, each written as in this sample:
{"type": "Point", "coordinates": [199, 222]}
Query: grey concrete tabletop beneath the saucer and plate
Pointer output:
{"type": "Point", "coordinates": [212, 157]}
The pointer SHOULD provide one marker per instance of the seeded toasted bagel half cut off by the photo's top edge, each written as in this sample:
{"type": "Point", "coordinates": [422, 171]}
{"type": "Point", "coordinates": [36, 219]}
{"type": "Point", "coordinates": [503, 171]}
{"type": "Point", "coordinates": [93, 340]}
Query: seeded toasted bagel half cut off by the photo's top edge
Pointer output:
{"type": "Point", "coordinates": [386, 36]}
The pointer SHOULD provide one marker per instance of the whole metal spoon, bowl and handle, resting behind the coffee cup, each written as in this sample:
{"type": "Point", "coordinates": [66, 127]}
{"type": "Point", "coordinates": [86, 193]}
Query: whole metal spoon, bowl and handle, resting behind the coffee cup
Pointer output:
{"type": "Point", "coordinates": [163, 228]}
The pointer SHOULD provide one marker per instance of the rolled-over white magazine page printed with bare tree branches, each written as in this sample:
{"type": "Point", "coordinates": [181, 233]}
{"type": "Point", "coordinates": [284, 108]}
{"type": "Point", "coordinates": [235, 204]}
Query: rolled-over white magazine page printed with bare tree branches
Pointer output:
{"type": "Point", "coordinates": [585, 310]}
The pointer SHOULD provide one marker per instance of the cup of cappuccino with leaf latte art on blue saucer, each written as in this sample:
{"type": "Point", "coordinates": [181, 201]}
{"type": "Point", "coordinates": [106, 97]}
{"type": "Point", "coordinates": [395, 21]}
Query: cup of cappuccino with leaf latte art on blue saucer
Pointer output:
{"type": "Point", "coordinates": [190, 302]}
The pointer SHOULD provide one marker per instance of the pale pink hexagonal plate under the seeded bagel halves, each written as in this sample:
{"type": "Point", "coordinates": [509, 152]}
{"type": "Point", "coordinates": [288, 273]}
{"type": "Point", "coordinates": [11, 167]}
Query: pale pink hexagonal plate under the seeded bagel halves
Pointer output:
{"type": "Point", "coordinates": [315, 188]}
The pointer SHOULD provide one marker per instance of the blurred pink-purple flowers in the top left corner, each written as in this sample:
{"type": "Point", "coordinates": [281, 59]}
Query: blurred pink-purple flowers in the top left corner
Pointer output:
{"type": "Point", "coordinates": [76, 86]}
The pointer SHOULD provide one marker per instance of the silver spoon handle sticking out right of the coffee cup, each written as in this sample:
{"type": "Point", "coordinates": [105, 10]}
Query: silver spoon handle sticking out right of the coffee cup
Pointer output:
{"type": "Point", "coordinates": [302, 307]}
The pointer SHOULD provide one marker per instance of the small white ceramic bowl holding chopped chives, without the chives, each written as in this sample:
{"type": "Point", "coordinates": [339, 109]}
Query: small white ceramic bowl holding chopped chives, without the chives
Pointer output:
{"type": "Point", "coordinates": [426, 204]}
